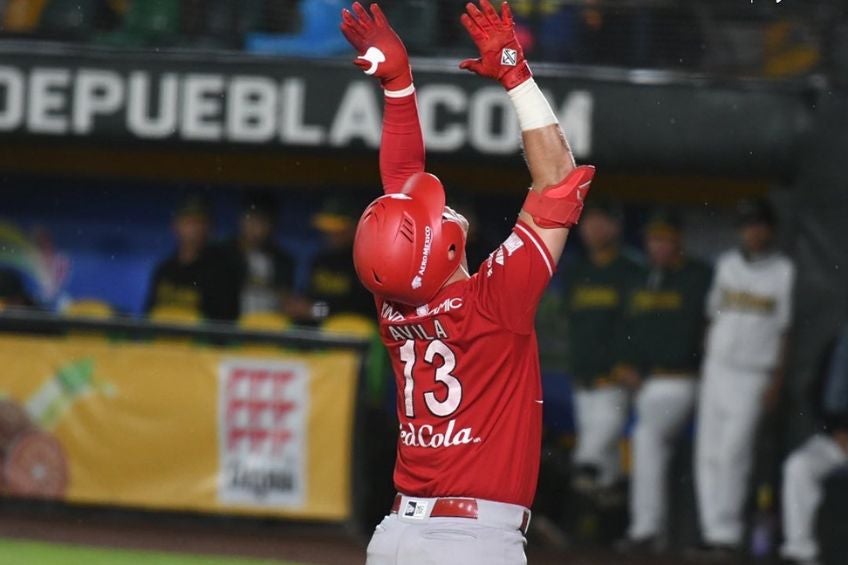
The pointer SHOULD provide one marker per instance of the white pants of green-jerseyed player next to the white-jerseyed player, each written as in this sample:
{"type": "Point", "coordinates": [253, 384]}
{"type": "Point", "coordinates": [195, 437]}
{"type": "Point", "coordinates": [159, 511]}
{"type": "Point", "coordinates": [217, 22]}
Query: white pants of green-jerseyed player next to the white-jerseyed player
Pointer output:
{"type": "Point", "coordinates": [663, 408]}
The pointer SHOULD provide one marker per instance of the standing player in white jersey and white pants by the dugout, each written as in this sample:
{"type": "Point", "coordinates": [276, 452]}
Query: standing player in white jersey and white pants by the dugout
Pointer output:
{"type": "Point", "coordinates": [749, 306]}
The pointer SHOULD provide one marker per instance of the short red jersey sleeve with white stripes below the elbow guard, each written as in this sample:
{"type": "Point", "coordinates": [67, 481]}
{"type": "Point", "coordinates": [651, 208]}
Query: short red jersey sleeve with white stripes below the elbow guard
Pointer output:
{"type": "Point", "coordinates": [513, 279]}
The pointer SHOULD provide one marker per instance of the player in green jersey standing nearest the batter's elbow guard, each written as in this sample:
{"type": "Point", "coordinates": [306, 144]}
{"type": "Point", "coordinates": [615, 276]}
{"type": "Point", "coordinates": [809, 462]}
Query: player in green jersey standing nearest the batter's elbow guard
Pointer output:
{"type": "Point", "coordinates": [595, 289]}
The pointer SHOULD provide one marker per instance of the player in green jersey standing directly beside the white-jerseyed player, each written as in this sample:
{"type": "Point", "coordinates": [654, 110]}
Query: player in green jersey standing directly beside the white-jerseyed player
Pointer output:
{"type": "Point", "coordinates": [665, 321]}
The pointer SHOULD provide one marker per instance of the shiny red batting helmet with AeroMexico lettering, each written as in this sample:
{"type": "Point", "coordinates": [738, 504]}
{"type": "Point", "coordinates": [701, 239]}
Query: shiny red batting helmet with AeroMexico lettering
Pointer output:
{"type": "Point", "coordinates": [402, 243]}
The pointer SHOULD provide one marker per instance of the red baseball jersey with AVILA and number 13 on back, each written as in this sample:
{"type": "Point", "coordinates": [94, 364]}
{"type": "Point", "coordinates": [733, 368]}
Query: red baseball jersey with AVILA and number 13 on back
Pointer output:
{"type": "Point", "coordinates": [469, 397]}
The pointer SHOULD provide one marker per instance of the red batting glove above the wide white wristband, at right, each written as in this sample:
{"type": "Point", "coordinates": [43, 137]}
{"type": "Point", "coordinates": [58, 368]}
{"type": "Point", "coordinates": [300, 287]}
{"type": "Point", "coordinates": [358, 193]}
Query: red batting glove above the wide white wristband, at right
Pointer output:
{"type": "Point", "coordinates": [501, 56]}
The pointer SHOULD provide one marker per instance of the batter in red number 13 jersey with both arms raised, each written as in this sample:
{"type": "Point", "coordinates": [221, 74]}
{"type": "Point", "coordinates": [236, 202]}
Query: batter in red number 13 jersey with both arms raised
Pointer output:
{"type": "Point", "coordinates": [462, 345]}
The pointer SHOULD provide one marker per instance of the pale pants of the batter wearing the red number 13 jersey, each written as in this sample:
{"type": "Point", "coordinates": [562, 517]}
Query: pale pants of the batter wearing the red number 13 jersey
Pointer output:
{"type": "Point", "coordinates": [492, 539]}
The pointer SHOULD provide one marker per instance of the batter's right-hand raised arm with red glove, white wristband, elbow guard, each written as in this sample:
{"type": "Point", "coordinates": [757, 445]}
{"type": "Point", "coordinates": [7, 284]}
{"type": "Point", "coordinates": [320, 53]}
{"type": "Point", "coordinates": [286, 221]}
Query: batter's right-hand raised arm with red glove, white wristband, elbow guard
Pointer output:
{"type": "Point", "coordinates": [555, 201]}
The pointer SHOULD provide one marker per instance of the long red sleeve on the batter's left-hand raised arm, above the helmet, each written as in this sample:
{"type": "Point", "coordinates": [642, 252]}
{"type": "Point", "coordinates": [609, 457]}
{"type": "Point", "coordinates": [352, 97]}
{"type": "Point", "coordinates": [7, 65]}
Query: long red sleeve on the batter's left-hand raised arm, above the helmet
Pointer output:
{"type": "Point", "coordinates": [402, 145]}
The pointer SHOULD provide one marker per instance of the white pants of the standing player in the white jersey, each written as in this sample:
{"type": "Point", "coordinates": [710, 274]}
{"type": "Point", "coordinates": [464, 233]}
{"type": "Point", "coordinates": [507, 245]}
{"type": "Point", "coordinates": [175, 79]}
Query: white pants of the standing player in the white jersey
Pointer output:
{"type": "Point", "coordinates": [729, 410]}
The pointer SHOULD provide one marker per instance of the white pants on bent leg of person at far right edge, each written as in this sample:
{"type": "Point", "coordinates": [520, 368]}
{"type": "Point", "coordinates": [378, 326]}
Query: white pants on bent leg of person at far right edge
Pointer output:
{"type": "Point", "coordinates": [803, 477]}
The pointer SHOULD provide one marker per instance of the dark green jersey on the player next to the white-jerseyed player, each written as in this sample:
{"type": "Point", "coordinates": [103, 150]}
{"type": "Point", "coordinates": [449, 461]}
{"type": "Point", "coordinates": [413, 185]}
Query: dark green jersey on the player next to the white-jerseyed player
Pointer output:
{"type": "Point", "coordinates": [664, 318]}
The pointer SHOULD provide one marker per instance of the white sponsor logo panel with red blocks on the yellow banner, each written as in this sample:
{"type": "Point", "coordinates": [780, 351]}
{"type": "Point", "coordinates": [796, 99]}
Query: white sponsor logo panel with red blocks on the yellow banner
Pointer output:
{"type": "Point", "coordinates": [262, 415]}
